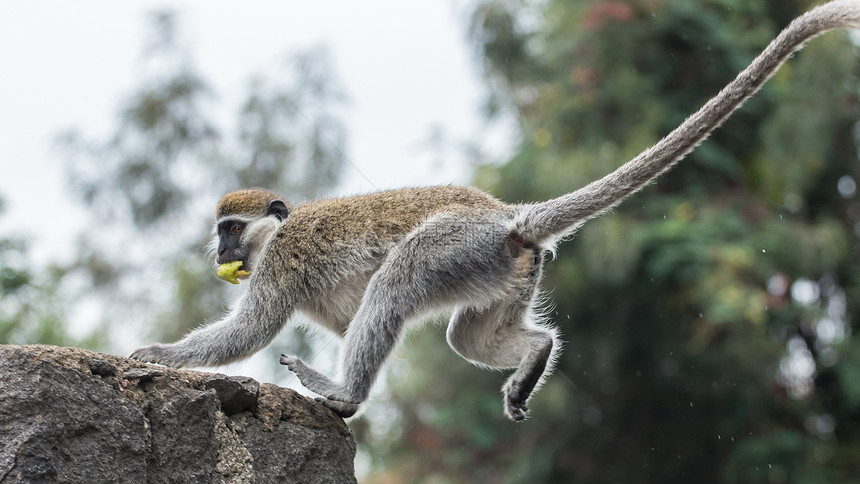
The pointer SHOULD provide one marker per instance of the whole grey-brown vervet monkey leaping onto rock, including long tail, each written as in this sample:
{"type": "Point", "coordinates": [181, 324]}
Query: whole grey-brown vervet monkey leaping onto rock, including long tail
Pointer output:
{"type": "Point", "coordinates": [364, 266]}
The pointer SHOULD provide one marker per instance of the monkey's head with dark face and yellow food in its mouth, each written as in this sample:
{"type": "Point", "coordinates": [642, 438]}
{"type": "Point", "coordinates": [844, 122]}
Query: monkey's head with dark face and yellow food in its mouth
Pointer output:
{"type": "Point", "coordinates": [244, 221]}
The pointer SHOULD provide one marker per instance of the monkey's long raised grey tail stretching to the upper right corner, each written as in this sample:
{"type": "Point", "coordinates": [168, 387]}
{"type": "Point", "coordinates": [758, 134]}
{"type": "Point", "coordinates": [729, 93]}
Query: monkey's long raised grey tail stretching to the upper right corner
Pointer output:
{"type": "Point", "coordinates": [561, 216]}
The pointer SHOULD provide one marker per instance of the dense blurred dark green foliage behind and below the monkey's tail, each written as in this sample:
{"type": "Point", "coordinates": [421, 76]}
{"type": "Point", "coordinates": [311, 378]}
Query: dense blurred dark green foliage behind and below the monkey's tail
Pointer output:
{"type": "Point", "coordinates": [710, 320]}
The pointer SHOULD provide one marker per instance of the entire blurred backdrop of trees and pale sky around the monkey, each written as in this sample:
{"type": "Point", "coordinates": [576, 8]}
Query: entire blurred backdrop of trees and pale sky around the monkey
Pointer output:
{"type": "Point", "coordinates": [710, 320]}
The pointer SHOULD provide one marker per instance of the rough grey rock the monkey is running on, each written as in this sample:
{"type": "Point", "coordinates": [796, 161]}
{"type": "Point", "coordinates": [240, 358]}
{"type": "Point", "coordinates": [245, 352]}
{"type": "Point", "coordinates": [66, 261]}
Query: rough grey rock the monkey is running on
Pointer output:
{"type": "Point", "coordinates": [71, 415]}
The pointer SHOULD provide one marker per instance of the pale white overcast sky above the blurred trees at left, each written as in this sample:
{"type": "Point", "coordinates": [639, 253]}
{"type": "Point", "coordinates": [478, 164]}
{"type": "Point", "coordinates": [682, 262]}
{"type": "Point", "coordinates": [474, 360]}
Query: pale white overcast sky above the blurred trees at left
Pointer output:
{"type": "Point", "coordinates": [405, 66]}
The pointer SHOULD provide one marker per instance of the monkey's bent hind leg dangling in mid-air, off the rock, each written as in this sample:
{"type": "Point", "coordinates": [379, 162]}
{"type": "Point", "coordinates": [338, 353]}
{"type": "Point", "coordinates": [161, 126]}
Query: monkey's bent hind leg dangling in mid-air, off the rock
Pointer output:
{"type": "Point", "coordinates": [509, 334]}
